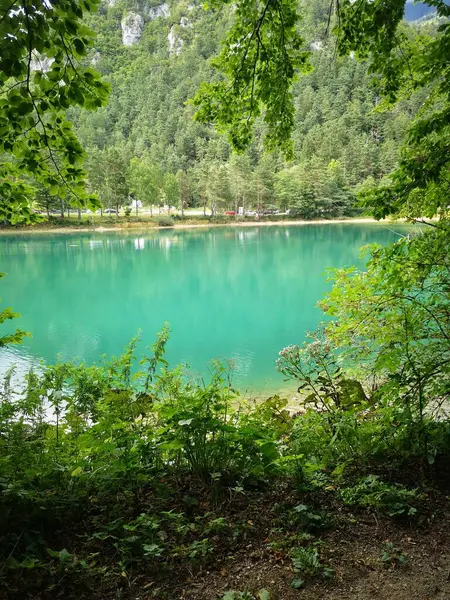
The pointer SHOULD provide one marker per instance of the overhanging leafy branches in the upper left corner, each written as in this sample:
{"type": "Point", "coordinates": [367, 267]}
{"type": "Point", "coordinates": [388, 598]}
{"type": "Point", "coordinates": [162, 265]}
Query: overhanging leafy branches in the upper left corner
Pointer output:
{"type": "Point", "coordinates": [41, 76]}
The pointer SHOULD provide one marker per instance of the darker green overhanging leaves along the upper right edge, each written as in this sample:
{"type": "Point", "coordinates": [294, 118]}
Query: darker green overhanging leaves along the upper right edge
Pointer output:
{"type": "Point", "coordinates": [406, 62]}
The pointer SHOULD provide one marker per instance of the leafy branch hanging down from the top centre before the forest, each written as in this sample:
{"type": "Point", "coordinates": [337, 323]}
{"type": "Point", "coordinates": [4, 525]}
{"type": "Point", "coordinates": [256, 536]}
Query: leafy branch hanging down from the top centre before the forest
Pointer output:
{"type": "Point", "coordinates": [259, 58]}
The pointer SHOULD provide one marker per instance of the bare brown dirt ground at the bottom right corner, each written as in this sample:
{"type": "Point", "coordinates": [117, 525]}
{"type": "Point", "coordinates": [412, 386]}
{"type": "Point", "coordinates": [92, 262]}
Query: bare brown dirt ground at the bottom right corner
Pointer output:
{"type": "Point", "coordinates": [352, 548]}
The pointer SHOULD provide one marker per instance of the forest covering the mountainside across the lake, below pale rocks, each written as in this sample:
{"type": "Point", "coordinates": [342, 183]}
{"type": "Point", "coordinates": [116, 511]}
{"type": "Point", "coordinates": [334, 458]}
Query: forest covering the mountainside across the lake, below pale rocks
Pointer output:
{"type": "Point", "coordinates": [147, 147]}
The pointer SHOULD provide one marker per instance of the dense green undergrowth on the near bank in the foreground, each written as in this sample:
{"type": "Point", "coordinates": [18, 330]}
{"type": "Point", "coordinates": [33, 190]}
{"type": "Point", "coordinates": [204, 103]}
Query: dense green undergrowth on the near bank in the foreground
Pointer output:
{"type": "Point", "coordinates": [128, 471]}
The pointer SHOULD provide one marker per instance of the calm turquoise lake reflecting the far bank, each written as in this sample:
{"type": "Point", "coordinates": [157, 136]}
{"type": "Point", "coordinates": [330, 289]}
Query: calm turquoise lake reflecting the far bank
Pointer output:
{"type": "Point", "coordinates": [239, 294]}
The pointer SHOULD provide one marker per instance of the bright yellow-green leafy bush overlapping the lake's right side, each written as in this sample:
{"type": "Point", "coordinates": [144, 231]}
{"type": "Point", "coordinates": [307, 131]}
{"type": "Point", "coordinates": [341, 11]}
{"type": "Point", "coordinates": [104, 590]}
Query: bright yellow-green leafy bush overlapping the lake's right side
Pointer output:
{"type": "Point", "coordinates": [392, 321]}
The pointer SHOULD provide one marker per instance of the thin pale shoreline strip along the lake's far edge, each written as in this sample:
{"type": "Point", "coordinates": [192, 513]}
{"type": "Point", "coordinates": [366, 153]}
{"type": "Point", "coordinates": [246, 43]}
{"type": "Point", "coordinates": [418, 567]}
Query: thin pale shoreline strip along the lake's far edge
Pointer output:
{"type": "Point", "coordinates": [142, 228]}
